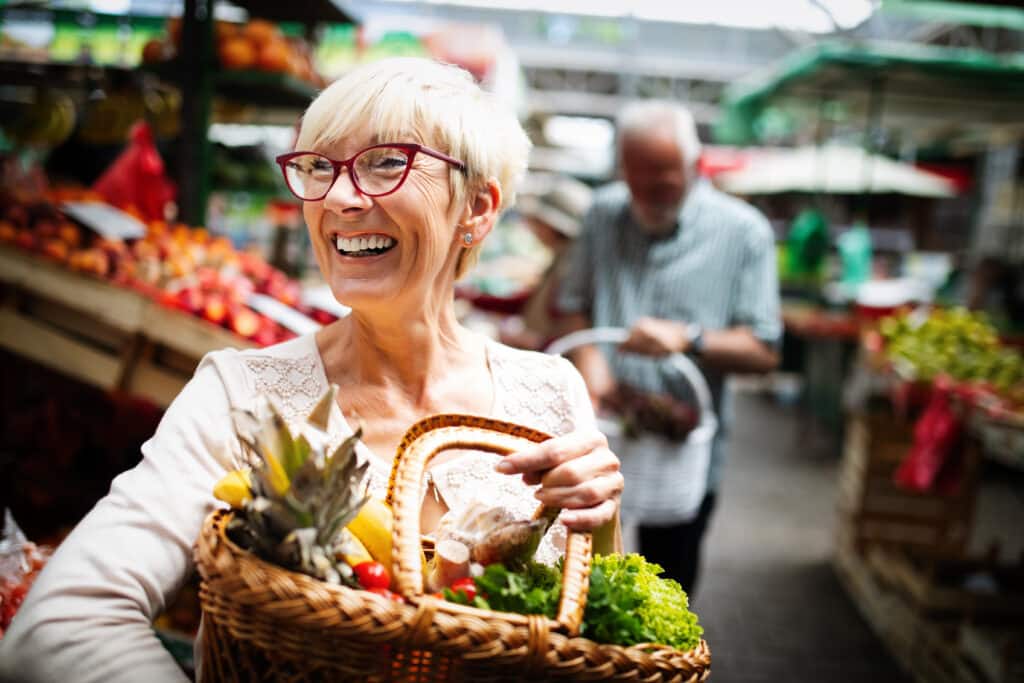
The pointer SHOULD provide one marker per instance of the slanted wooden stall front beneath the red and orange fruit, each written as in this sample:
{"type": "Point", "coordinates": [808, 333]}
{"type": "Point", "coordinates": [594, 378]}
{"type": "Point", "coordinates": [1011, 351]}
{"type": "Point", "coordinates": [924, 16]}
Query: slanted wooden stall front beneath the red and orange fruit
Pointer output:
{"type": "Point", "coordinates": [104, 335]}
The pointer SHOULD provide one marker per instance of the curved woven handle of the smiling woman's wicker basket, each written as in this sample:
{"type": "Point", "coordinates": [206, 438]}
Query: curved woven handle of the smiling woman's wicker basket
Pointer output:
{"type": "Point", "coordinates": [436, 435]}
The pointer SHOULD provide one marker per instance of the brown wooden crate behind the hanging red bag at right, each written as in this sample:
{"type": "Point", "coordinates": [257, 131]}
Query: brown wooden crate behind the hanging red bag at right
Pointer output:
{"type": "Point", "coordinates": [874, 510]}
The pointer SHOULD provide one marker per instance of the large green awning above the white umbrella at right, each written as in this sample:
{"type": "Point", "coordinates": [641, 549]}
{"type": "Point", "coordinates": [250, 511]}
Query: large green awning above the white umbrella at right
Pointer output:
{"type": "Point", "coordinates": [927, 92]}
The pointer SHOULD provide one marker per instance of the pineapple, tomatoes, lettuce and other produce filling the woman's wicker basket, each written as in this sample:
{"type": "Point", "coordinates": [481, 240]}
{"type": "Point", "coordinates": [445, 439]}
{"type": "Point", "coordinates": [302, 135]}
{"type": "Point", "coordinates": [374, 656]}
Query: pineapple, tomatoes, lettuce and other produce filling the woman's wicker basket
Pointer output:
{"type": "Point", "coordinates": [307, 508]}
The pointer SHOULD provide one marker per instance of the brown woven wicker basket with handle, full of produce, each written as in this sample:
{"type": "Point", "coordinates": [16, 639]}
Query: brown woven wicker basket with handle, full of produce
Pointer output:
{"type": "Point", "coordinates": [263, 623]}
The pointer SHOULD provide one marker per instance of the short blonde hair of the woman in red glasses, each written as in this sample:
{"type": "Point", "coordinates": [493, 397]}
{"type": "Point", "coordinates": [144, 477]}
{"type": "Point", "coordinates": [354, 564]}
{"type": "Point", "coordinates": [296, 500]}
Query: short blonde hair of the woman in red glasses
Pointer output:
{"type": "Point", "coordinates": [434, 104]}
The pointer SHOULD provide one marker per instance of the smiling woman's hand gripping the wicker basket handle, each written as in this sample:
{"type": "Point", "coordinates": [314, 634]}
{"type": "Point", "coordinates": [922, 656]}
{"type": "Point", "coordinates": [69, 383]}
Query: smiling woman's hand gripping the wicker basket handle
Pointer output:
{"type": "Point", "coordinates": [577, 474]}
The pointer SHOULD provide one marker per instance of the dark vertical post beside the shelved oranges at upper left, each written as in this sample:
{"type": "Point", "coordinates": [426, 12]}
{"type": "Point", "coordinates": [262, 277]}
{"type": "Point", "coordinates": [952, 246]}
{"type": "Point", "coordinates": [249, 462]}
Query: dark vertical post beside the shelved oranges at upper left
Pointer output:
{"type": "Point", "coordinates": [196, 81]}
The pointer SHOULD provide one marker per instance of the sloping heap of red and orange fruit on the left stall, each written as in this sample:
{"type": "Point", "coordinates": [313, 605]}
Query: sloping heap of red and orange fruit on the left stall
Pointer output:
{"type": "Point", "coordinates": [180, 267]}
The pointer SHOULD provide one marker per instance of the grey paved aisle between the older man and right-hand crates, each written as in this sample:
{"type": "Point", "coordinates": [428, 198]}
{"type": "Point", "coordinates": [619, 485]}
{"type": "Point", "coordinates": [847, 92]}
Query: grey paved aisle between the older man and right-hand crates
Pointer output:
{"type": "Point", "coordinates": [770, 601]}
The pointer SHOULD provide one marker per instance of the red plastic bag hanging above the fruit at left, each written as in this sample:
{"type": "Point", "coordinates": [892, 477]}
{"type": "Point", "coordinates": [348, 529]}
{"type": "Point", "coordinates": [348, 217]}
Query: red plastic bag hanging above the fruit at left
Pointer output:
{"type": "Point", "coordinates": [137, 178]}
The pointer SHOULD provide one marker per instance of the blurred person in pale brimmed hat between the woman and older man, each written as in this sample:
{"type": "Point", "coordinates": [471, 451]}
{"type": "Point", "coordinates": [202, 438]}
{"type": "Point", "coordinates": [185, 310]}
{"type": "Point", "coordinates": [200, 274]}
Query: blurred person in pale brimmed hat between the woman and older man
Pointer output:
{"type": "Point", "coordinates": [553, 215]}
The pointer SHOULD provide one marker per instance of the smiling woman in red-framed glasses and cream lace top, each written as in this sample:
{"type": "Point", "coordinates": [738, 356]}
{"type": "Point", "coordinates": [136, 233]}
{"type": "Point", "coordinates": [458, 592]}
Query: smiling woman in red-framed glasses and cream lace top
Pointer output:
{"type": "Point", "coordinates": [403, 166]}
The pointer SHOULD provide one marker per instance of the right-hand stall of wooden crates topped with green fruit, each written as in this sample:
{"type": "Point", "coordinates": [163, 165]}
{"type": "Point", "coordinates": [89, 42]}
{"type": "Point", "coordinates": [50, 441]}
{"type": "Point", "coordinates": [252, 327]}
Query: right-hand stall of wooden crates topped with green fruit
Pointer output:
{"type": "Point", "coordinates": [928, 390]}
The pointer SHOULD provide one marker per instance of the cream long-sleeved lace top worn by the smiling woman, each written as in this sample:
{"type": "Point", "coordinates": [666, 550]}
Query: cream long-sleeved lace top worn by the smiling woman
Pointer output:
{"type": "Point", "coordinates": [89, 615]}
